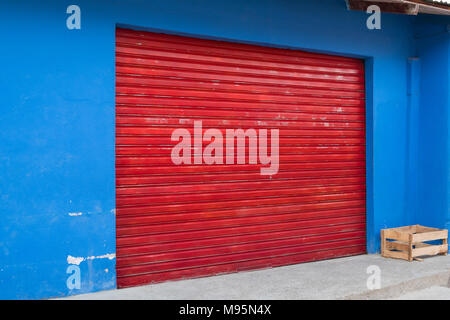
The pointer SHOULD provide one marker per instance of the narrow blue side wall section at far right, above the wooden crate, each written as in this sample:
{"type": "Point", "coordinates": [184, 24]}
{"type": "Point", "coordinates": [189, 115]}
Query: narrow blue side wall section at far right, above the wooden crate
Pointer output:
{"type": "Point", "coordinates": [433, 47]}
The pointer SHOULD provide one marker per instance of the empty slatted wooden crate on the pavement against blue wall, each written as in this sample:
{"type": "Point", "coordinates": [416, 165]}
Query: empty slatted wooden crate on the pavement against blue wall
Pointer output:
{"type": "Point", "coordinates": [408, 243]}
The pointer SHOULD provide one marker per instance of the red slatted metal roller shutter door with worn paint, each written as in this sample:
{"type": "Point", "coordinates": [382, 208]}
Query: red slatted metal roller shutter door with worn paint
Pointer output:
{"type": "Point", "coordinates": [188, 221]}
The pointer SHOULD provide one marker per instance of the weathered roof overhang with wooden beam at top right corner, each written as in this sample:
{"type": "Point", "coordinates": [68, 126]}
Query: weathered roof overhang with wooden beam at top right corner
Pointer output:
{"type": "Point", "coordinates": [410, 7]}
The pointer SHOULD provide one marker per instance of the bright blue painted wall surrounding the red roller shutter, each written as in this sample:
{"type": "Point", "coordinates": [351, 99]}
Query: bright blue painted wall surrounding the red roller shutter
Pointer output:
{"type": "Point", "coordinates": [57, 120]}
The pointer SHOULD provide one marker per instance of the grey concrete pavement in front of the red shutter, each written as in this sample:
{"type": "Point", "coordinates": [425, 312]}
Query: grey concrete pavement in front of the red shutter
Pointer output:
{"type": "Point", "coordinates": [344, 278]}
